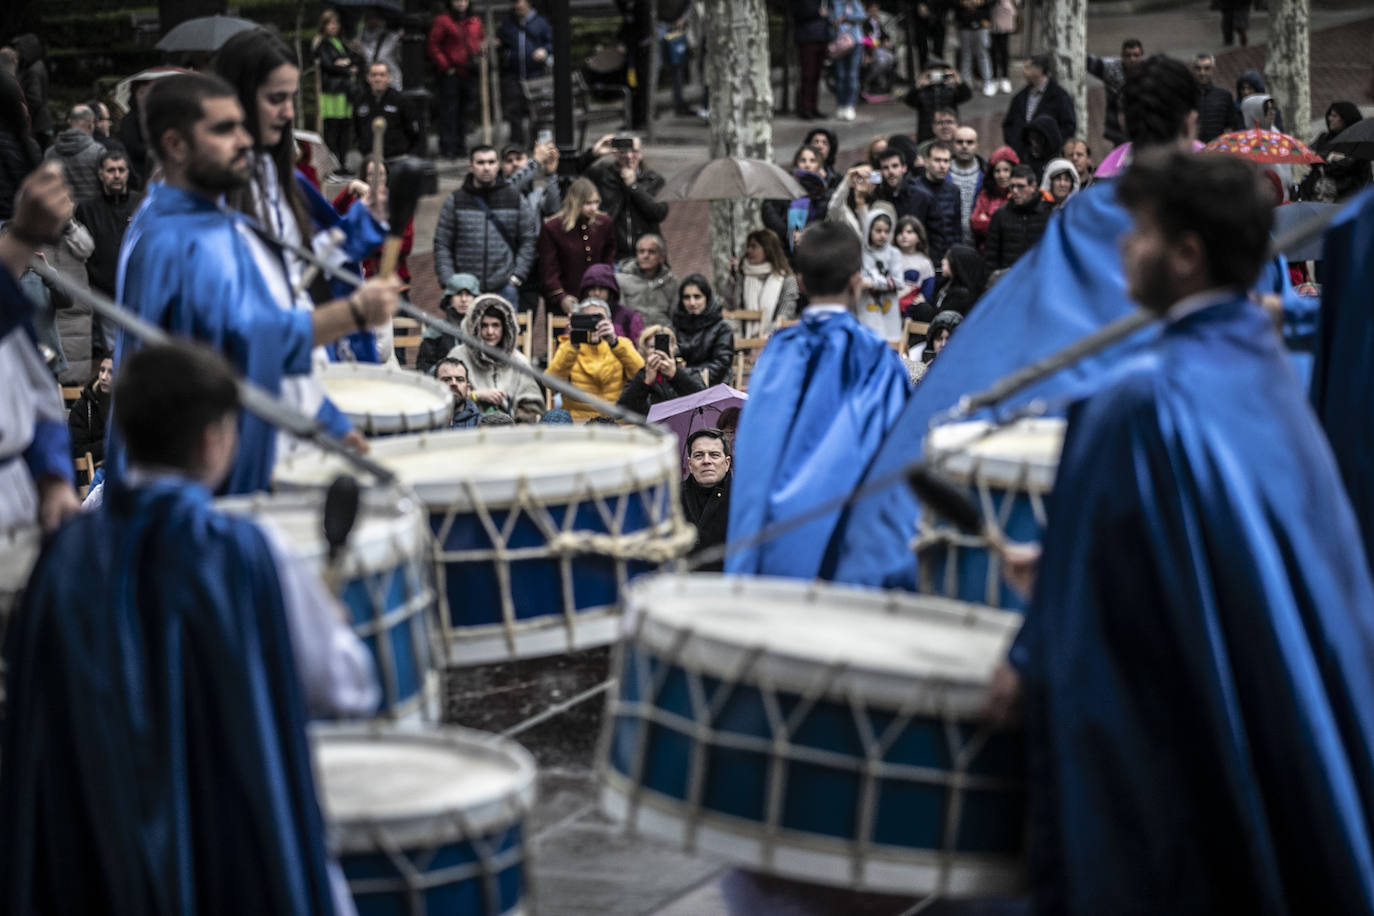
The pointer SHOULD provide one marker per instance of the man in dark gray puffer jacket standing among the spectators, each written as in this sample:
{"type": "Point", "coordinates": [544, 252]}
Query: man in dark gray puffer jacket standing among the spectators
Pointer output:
{"type": "Point", "coordinates": [487, 229]}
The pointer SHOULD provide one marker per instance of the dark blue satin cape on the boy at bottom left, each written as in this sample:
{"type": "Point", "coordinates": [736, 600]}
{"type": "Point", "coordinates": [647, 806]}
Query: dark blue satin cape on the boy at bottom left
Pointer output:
{"type": "Point", "coordinates": [155, 745]}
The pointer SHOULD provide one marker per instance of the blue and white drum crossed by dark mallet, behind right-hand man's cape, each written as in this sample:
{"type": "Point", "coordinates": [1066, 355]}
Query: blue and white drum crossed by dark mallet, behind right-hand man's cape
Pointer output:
{"type": "Point", "coordinates": [1009, 473]}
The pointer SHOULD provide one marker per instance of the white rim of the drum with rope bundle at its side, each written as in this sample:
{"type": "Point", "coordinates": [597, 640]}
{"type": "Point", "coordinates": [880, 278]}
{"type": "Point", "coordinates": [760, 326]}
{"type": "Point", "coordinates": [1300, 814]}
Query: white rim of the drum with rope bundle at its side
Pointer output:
{"type": "Point", "coordinates": [550, 484]}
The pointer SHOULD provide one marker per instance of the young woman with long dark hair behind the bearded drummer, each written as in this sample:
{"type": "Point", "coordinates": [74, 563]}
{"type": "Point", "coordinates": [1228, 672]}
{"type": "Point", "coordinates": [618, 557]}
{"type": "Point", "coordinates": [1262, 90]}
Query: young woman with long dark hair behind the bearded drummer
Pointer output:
{"type": "Point", "coordinates": [264, 75]}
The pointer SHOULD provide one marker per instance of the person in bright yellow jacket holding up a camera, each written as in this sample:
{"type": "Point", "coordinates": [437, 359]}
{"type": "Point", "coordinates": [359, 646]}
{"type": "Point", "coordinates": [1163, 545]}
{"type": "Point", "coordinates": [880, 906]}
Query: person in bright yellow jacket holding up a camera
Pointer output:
{"type": "Point", "coordinates": [594, 359]}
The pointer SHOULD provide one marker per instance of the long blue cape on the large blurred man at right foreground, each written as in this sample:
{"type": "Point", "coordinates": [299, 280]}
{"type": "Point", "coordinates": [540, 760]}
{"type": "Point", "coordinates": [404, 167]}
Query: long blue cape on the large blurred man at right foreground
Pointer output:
{"type": "Point", "coordinates": [1199, 656]}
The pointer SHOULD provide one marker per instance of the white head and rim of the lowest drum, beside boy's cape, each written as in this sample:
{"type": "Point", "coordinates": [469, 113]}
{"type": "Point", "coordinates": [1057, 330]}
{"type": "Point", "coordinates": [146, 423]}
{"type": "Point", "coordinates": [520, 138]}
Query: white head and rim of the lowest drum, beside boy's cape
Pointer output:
{"type": "Point", "coordinates": [423, 789]}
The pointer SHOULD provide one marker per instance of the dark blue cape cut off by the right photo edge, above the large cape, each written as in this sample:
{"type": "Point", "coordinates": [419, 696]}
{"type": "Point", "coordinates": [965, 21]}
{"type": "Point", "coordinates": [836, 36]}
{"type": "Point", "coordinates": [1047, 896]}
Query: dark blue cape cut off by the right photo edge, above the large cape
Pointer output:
{"type": "Point", "coordinates": [1343, 378]}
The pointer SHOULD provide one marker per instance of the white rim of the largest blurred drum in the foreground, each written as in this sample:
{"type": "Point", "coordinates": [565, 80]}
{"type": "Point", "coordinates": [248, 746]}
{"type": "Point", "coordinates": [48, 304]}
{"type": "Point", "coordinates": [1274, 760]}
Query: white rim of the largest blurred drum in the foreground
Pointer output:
{"type": "Point", "coordinates": [789, 671]}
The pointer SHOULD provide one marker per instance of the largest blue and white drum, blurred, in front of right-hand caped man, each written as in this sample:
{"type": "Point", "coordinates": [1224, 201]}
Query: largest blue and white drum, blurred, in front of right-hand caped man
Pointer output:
{"type": "Point", "coordinates": [818, 733]}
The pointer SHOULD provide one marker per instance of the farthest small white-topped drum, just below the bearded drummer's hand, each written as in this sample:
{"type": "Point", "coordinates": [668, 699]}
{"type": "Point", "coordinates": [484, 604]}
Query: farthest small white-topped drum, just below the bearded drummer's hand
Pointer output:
{"type": "Point", "coordinates": [384, 400]}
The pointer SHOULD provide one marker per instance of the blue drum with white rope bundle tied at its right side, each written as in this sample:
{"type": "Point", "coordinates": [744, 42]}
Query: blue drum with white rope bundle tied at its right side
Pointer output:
{"type": "Point", "coordinates": [537, 528]}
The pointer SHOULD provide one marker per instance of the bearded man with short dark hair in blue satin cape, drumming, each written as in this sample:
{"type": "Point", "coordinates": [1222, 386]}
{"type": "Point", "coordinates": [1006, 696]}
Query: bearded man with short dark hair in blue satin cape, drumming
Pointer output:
{"type": "Point", "coordinates": [189, 268]}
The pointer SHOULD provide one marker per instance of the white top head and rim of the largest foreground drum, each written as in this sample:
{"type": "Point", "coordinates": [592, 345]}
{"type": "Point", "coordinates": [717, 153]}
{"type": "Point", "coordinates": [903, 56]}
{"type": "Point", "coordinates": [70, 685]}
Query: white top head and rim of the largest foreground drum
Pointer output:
{"type": "Point", "coordinates": [890, 648]}
